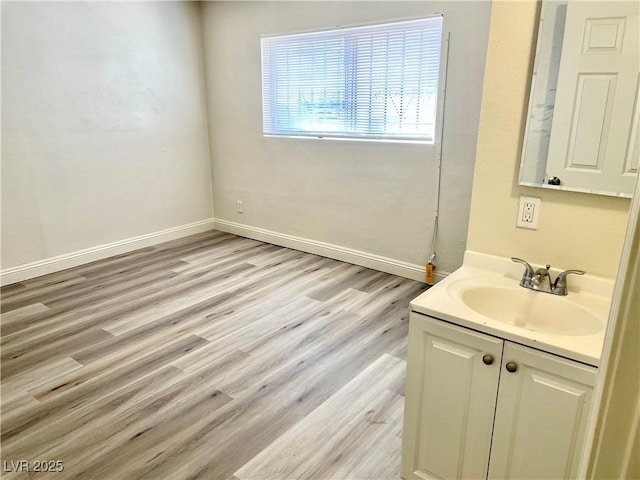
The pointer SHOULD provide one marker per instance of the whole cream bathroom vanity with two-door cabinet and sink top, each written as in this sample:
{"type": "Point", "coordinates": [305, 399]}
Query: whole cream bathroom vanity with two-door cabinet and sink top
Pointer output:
{"type": "Point", "coordinates": [500, 377]}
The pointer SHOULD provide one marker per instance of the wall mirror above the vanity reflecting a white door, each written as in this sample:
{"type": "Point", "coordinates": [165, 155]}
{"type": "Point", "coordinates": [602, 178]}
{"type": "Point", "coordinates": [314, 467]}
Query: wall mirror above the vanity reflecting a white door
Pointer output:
{"type": "Point", "coordinates": [584, 112]}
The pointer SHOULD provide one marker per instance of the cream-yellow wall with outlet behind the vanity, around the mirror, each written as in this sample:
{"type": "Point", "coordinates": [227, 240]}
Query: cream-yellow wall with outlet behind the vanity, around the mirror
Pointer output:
{"type": "Point", "coordinates": [575, 230]}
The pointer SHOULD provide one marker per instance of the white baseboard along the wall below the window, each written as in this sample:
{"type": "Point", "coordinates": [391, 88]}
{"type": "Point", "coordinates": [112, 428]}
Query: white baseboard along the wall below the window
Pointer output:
{"type": "Point", "coordinates": [357, 257]}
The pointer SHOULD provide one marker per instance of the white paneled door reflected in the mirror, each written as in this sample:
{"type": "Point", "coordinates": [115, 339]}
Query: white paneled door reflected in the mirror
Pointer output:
{"type": "Point", "coordinates": [594, 137]}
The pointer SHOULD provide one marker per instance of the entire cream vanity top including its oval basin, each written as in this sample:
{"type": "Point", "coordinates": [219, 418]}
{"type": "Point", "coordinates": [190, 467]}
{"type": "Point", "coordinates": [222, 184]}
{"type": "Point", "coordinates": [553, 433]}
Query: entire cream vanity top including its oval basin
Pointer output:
{"type": "Point", "coordinates": [484, 295]}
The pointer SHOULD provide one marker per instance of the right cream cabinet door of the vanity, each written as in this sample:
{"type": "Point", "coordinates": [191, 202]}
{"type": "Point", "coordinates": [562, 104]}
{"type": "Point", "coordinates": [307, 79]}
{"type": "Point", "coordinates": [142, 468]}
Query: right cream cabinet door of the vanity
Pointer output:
{"type": "Point", "coordinates": [541, 415]}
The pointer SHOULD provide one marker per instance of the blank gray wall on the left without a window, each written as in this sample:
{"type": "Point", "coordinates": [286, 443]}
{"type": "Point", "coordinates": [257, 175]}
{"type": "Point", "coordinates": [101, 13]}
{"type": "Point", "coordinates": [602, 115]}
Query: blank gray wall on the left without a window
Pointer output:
{"type": "Point", "coordinates": [104, 131]}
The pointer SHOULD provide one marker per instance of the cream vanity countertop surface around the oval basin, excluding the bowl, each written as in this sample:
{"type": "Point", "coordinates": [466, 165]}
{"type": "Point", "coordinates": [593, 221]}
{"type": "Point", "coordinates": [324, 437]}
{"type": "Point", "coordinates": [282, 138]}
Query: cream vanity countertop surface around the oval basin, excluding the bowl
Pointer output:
{"type": "Point", "coordinates": [592, 293]}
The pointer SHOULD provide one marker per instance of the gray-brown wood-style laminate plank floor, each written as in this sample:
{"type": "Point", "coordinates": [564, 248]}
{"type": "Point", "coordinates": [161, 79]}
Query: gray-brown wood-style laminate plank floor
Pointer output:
{"type": "Point", "coordinates": [210, 357]}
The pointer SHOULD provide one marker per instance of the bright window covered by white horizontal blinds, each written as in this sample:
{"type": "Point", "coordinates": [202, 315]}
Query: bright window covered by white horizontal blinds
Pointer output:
{"type": "Point", "coordinates": [372, 82]}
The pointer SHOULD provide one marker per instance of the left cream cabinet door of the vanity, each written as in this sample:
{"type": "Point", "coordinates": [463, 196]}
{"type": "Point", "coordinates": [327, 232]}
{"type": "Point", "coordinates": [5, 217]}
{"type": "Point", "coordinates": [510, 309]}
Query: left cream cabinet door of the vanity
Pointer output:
{"type": "Point", "coordinates": [450, 400]}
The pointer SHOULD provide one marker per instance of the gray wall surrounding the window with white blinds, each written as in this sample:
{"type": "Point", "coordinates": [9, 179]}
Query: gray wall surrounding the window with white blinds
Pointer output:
{"type": "Point", "coordinates": [373, 197]}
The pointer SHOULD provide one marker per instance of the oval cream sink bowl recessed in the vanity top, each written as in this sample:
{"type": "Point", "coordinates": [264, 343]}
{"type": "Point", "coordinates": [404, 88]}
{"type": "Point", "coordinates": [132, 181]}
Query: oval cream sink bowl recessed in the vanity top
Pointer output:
{"type": "Point", "coordinates": [536, 311]}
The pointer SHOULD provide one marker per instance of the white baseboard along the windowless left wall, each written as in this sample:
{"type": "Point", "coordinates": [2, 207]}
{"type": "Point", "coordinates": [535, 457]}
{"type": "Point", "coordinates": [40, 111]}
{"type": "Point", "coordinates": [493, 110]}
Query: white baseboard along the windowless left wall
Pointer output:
{"type": "Point", "coordinates": [73, 259]}
